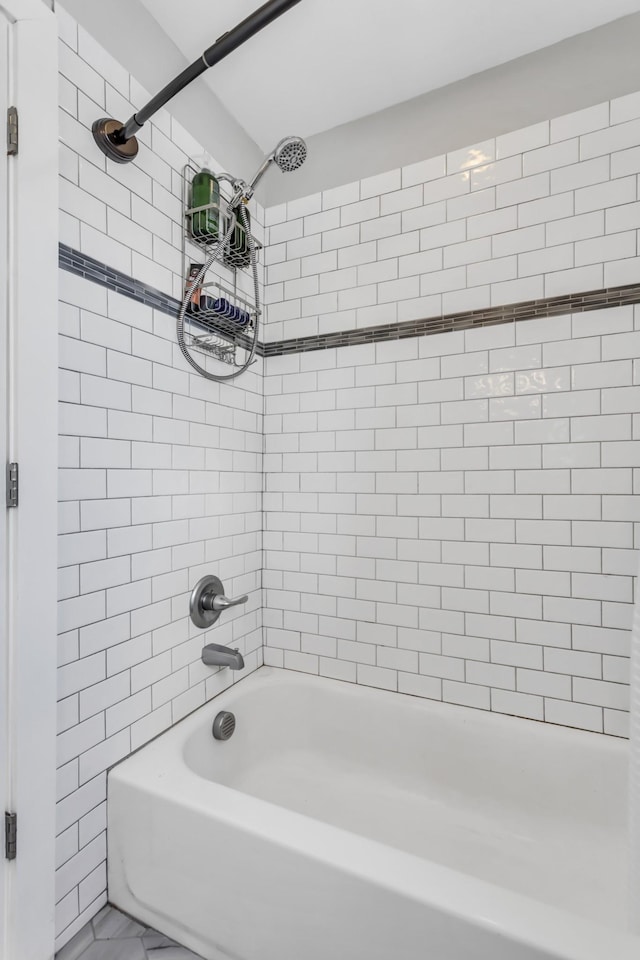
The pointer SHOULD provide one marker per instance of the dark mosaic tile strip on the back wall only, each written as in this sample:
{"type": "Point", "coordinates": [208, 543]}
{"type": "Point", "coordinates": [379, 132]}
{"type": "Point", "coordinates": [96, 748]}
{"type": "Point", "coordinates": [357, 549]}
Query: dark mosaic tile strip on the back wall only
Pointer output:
{"type": "Point", "coordinates": [489, 316]}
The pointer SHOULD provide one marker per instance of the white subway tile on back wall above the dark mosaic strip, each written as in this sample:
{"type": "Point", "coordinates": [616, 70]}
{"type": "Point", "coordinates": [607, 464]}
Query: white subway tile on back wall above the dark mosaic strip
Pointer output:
{"type": "Point", "coordinates": [540, 212]}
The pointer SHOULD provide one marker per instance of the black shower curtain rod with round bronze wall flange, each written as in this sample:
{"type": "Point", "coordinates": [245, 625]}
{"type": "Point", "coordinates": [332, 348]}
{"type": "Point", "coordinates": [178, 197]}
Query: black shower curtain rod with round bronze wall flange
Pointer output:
{"type": "Point", "coordinates": [117, 140]}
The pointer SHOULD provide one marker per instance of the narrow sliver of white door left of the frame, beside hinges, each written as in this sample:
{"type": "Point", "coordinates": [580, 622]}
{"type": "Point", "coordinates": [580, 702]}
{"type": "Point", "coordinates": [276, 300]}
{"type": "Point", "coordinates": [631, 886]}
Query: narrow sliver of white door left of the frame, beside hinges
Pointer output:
{"type": "Point", "coordinates": [4, 650]}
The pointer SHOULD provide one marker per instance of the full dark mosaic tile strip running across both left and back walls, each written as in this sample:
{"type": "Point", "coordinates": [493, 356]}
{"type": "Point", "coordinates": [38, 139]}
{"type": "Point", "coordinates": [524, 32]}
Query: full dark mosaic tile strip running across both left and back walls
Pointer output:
{"type": "Point", "coordinates": [85, 266]}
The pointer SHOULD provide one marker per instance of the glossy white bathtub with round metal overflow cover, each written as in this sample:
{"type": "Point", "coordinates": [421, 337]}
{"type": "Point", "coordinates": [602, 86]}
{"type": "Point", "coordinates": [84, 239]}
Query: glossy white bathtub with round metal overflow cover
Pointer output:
{"type": "Point", "coordinates": [343, 823]}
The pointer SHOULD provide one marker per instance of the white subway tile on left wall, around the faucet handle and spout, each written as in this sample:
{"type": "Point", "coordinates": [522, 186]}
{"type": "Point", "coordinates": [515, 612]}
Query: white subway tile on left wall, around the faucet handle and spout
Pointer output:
{"type": "Point", "coordinates": [160, 472]}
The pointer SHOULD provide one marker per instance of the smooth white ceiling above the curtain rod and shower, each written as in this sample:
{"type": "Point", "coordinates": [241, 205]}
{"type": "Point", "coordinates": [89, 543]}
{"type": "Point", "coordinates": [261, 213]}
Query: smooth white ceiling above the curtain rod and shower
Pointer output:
{"type": "Point", "coordinates": [326, 62]}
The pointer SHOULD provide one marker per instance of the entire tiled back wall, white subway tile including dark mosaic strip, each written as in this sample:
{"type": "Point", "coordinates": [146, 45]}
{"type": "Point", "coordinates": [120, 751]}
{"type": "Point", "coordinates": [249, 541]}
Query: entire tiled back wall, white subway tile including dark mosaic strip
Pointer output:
{"type": "Point", "coordinates": [452, 515]}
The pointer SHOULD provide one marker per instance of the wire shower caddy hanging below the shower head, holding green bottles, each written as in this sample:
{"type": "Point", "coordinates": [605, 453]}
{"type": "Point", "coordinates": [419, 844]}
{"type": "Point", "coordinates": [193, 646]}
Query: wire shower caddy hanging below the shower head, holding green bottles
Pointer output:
{"type": "Point", "coordinates": [207, 329]}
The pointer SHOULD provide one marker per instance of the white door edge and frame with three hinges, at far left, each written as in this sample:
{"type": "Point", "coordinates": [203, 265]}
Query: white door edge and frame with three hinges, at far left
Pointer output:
{"type": "Point", "coordinates": [28, 197]}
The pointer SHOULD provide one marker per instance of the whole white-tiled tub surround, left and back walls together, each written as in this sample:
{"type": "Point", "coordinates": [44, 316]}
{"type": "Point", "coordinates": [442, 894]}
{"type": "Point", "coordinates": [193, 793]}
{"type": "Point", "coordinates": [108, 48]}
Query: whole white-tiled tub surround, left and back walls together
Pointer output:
{"type": "Point", "coordinates": [448, 515]}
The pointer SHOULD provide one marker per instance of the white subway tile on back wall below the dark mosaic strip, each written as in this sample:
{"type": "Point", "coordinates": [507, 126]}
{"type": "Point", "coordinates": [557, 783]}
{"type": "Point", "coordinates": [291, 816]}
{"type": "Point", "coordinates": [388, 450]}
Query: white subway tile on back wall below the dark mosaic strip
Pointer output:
{"type": "Point", "coordinates": [455, 516]}
